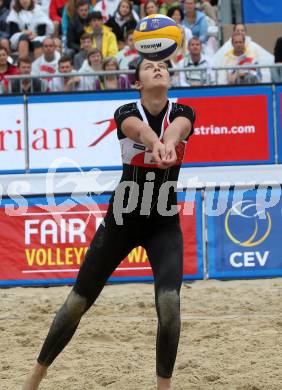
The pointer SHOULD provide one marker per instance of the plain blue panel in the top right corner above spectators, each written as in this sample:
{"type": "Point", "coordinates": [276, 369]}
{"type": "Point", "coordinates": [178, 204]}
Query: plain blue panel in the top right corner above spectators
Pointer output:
{"type": "Point", "coordinates": [260, 11]}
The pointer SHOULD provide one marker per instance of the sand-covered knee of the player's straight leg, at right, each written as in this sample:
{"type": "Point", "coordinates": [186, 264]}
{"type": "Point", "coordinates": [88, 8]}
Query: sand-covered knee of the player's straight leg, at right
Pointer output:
{"type": "Point", "coordinates": [168, 308]}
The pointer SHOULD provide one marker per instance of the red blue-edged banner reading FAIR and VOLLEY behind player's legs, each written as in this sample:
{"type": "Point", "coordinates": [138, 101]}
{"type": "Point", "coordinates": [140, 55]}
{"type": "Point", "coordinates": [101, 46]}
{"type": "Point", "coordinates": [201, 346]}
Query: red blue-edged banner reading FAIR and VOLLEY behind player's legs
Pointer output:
{"type": "Point", "coordinates": [43, 240]}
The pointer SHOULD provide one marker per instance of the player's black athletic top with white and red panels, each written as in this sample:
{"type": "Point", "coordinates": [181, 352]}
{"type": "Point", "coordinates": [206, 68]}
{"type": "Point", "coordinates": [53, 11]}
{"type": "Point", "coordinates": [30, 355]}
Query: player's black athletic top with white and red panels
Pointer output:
{"type": "Point", "coordinates": [155, 191]}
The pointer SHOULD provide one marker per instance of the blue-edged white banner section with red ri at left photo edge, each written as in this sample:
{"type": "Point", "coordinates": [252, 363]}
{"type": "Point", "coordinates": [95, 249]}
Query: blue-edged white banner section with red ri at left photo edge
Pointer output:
{"type": "Point", "coordinates": [12, 136]}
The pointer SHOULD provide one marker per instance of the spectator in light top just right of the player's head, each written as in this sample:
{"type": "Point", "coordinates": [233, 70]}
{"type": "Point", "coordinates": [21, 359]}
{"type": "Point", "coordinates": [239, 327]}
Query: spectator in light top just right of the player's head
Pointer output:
{"type": "Point", "coordinates": [195, 60]}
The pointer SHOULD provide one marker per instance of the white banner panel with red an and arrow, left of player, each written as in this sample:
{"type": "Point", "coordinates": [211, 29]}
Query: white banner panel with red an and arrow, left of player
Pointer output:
{"type": "Point", "coordinates": [73, 134]}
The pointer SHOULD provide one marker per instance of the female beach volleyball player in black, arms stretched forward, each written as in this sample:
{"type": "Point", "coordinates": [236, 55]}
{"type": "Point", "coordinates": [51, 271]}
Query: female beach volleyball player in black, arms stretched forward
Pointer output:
{"type": "Point", "coordinates": [152, 133]}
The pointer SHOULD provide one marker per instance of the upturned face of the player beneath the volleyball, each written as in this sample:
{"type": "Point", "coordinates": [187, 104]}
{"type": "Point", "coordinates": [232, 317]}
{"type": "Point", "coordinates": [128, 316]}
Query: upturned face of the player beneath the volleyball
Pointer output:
{"type": "Point", "coordinates": [153, 74]}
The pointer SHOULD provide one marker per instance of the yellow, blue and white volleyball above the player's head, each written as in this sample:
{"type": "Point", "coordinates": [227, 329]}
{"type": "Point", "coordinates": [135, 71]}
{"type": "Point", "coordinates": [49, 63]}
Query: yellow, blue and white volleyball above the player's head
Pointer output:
{"type": "Point", "coordinates": [156, 37]}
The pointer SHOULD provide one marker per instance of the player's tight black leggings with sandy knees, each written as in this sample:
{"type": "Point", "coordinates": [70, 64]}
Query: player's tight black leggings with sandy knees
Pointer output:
{"type": "Point", "coordinates": [162, 240]}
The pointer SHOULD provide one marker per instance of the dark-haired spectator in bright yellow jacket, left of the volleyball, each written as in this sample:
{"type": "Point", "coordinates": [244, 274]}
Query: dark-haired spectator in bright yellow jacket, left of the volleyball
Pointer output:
{"type": "Point", "coordinates": [103, 39]}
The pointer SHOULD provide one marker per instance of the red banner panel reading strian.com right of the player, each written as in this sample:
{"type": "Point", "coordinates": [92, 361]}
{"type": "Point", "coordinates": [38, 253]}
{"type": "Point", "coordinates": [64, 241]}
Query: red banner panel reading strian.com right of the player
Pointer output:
{"type": "Point", "coordinates": [229, 129]}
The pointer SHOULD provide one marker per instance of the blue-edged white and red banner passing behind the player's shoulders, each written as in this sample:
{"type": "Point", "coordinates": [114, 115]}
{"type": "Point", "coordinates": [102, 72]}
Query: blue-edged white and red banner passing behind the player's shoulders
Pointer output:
{"type": "Point", "coordinates": [233, 126]}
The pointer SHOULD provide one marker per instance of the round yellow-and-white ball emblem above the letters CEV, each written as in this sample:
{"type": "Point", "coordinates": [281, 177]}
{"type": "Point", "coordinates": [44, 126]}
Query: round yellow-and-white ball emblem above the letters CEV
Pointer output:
{"type": "Point", "coordinates": [242, 210]}
